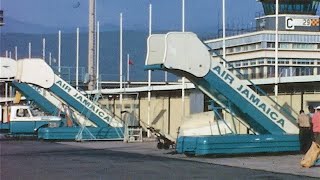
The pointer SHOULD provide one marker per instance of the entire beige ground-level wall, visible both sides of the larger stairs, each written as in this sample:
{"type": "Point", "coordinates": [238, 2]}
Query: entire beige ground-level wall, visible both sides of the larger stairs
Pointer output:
{"type": "Point", "coordinates": [166, 108]}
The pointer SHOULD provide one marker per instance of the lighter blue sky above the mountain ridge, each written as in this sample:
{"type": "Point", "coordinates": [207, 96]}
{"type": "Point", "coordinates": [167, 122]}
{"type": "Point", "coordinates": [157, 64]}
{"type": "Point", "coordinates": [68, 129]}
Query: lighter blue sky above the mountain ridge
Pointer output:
{"type": "Point", "coordinates": [166, 14]}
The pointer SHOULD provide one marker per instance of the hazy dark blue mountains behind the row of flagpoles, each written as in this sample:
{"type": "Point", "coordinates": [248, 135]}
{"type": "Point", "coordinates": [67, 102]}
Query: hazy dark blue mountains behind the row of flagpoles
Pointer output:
{"type": "Point", "coordinates": [20, 34]}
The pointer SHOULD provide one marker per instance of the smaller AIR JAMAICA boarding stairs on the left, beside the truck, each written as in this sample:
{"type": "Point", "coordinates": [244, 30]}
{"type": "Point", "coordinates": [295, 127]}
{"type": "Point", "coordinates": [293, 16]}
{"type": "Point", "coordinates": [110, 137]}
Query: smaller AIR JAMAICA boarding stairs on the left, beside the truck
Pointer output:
{"type": "Point", "coordinates": [37, 81]}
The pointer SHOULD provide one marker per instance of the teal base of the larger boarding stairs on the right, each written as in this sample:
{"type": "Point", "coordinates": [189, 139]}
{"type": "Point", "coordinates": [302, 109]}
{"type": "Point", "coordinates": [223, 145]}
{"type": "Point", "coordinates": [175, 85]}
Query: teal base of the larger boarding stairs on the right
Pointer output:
{"type": "Point", "coordinates": [237, 144]}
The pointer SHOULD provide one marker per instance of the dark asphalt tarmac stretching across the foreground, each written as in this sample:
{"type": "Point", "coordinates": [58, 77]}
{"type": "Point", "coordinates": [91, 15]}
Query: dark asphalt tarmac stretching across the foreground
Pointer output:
{"type": "Point", "coordinates": [34, 159]}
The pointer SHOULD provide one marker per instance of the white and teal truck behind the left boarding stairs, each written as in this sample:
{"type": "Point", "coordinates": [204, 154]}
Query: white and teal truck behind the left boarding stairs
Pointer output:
{"type": "Point", "coordinates": [19, 119]}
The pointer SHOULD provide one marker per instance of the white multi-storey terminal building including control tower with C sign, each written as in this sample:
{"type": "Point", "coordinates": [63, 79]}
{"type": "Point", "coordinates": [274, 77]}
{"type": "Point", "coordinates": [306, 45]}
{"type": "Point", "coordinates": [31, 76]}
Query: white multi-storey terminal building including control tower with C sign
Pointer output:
{"type": "Point", "coordinates": [253, 54]}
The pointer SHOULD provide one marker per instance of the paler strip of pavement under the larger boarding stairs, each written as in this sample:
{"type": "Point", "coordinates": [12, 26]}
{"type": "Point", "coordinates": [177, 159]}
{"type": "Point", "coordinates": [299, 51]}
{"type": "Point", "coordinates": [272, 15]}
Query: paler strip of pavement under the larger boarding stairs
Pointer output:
{"type": "Point", "coordinates": [279, 163]}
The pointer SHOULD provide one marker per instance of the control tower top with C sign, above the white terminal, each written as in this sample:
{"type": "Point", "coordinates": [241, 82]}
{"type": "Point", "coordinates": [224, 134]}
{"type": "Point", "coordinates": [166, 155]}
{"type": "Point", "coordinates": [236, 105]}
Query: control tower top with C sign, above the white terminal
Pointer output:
{"type": "Point", "coordinates": [294, 15]}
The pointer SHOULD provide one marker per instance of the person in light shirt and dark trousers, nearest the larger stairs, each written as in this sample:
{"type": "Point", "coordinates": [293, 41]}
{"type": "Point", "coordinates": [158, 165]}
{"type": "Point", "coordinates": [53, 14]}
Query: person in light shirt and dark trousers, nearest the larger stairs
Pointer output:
{"type": "Point", "coordinates": [305, 135]}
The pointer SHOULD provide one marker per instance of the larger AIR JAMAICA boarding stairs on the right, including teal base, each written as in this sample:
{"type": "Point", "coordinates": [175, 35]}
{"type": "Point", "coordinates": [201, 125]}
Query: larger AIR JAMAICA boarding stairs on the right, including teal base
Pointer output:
{"type": "Point", "coordinates": [183, 54]}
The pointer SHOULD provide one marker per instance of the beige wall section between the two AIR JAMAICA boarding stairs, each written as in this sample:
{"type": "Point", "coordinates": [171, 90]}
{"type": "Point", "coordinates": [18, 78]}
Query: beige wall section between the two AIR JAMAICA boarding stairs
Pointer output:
{"type": "Point", "coordinates": [165, 109]}
